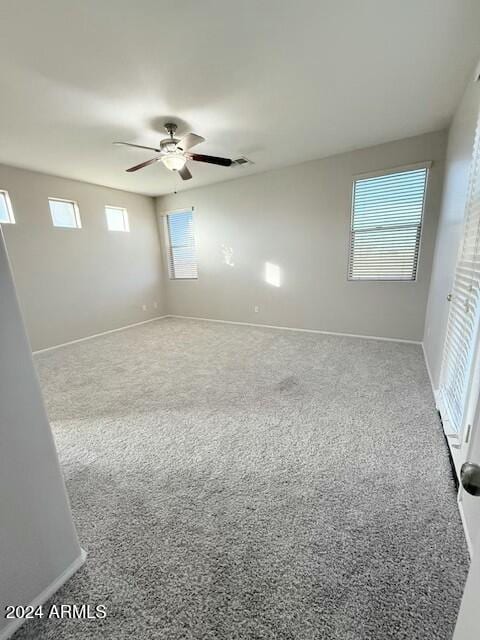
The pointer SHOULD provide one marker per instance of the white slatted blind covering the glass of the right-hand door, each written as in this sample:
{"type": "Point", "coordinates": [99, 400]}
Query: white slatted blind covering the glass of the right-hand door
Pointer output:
{"type": "Point", "coordinates": [462, 323]}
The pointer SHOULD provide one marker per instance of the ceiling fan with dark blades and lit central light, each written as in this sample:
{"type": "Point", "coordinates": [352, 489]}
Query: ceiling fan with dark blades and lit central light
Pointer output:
{"type": "Point", "coordinates": [174, 153]}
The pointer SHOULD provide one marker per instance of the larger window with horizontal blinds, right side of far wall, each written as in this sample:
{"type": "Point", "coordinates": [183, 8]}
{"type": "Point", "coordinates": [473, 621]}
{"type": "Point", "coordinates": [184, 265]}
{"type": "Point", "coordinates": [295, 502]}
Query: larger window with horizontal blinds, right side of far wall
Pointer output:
{"type": "Point", "coordinates": [386, 226]}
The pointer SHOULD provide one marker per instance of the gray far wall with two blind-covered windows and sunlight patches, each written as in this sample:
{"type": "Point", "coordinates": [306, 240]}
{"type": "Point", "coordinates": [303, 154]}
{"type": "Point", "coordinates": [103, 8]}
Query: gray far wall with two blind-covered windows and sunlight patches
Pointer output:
{"type": "Point", "coordinates": [299, 218]}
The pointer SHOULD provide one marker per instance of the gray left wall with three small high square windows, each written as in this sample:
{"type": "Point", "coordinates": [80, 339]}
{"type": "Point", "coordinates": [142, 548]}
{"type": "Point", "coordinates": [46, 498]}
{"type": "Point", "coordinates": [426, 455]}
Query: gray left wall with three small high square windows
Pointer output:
{"type": "Point", "coordinates": [75, 283]}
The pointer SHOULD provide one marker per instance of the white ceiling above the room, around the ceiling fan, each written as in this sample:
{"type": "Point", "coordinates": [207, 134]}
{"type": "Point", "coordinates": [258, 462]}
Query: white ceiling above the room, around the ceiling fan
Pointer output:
{"type": "Point", "coordinates": [280, 81]}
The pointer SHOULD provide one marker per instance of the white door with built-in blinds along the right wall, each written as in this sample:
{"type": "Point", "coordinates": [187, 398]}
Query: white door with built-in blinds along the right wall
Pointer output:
{"type": "Point", "coordinates": [459, 380]}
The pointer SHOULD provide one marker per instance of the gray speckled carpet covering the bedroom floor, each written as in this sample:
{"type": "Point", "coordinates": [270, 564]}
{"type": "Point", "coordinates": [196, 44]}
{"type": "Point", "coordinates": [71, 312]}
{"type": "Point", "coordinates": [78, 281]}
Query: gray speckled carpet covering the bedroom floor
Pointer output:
{"type": "Point", "coordinates": [232, 482]}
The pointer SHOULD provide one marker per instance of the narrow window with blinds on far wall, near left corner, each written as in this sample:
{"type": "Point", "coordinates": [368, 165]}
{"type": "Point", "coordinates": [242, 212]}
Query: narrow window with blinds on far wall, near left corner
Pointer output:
{"type": "Point", "coordinates": [182, 258]}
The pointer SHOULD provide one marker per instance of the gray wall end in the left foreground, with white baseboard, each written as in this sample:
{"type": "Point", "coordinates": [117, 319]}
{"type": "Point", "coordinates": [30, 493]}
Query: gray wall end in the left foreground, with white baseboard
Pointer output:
{"type": "Point", "coordinates": [37, 537]}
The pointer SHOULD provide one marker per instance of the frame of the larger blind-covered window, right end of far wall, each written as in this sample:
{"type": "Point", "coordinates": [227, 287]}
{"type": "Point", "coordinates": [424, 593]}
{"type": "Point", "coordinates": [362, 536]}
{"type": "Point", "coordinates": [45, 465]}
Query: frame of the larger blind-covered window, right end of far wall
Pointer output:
{"type": "Point", "coordinates": [377, 174]}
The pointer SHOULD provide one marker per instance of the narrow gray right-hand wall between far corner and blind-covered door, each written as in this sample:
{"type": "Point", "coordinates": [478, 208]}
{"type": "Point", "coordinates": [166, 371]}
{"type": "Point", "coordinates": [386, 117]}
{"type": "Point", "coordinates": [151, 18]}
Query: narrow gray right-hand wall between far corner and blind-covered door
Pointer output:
{"type": "Point", "coordinates": [459, 154]}
